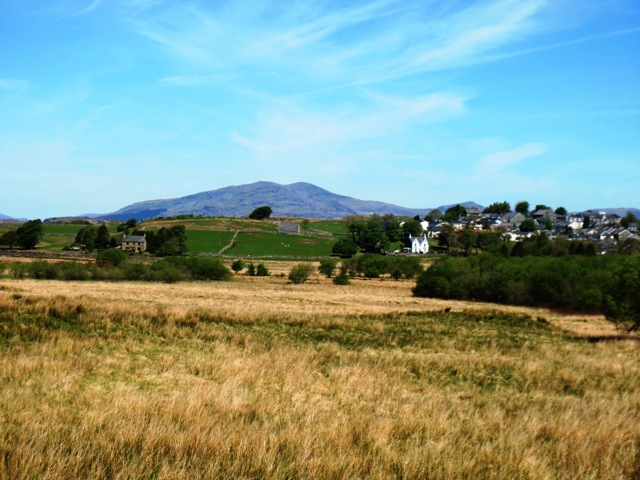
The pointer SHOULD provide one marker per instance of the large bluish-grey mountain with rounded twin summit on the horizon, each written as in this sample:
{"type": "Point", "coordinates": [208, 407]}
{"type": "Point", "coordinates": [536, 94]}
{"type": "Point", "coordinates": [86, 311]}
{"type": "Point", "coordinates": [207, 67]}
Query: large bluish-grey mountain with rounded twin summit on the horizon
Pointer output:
{"type": "Point", "coordinates": [295, 200]}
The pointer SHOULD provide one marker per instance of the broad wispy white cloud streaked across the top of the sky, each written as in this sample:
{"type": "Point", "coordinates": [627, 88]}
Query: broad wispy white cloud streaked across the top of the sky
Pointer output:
{"type": "Point", "coordinates": [322, 41]}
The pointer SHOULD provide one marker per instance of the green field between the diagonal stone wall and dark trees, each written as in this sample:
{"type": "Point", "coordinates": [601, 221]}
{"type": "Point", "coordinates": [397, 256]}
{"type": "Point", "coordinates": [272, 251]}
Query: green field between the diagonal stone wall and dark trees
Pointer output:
{"type": "Point", "coordinates": [265, 244]}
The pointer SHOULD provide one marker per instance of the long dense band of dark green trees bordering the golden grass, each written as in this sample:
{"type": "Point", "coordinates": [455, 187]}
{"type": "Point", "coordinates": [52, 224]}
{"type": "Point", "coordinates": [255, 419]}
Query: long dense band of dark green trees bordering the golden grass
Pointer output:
{"type": "Point", "coordinates": [606, 284]}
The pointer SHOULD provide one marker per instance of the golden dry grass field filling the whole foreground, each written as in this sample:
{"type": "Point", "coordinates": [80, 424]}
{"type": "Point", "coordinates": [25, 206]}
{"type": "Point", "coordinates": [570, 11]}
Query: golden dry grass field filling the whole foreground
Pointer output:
{"type": "Point", "coordinates": [258, 378]}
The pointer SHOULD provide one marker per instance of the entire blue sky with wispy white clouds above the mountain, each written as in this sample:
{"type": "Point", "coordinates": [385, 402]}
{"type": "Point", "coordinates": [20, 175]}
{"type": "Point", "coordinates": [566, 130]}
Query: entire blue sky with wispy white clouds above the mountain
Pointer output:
{"type": "Point", "coordinates": [419, 103]}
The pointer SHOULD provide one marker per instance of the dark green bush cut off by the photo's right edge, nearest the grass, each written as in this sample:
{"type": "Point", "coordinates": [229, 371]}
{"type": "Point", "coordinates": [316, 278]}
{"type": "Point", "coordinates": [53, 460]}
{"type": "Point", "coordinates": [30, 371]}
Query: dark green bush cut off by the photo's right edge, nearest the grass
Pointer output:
{"type": "Point", "coordinates": [623, 301]}
